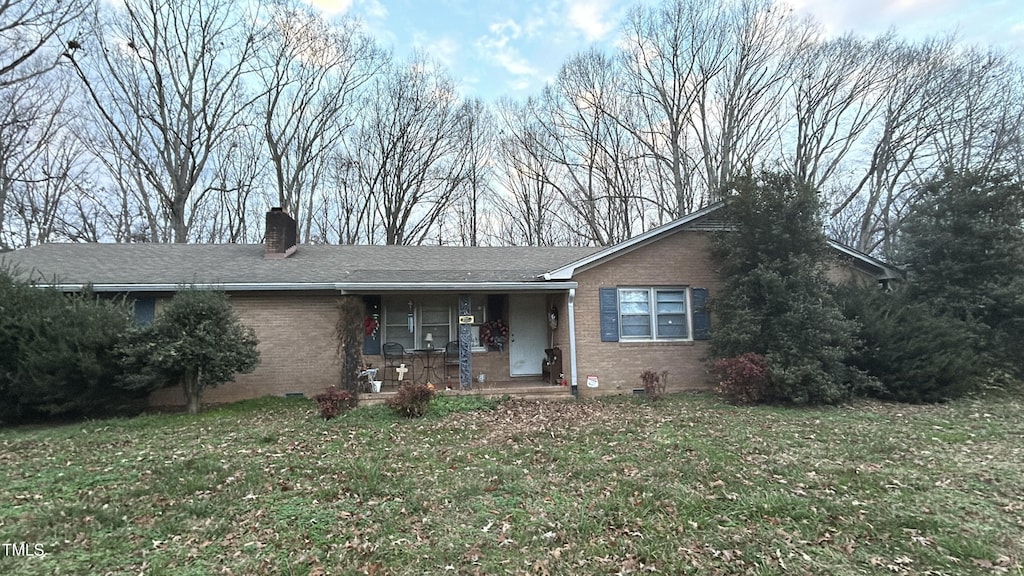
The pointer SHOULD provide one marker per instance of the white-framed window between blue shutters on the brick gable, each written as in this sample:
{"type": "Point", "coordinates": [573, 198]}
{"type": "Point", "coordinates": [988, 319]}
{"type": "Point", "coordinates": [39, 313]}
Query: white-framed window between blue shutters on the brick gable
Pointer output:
{"type": "Point", "coordinates": [654, 314]}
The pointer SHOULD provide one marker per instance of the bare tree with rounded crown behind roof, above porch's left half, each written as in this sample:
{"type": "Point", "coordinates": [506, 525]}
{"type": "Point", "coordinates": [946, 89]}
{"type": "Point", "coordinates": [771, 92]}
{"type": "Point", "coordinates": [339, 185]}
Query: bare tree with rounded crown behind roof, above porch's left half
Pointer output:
{"type": "Point", "coordinates": [409, 152]}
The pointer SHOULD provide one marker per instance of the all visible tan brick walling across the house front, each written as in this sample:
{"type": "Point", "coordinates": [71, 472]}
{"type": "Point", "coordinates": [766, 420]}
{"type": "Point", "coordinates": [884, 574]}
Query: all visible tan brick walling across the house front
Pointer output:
{"type": "Point", "coordinates": [298, 349]}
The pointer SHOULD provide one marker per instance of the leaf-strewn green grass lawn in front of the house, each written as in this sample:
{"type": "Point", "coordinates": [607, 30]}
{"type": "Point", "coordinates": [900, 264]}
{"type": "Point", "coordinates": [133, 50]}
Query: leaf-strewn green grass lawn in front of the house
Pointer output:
{"type": "Point", "coordinates": [684, 486]}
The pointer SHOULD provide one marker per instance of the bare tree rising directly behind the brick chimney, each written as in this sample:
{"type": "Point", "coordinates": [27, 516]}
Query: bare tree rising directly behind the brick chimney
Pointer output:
{"type": "Point", "coordinates": [313, 72]}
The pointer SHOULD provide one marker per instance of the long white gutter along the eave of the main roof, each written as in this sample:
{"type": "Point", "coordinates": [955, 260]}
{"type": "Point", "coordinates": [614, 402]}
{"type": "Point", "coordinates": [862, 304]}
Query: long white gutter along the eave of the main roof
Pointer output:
{"type": "Point", "coordinates": [339, 287]}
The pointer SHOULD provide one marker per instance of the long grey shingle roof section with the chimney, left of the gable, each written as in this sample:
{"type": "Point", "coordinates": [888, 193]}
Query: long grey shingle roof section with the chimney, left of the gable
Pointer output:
{"type": "Point", "coordinates": [237, 264]}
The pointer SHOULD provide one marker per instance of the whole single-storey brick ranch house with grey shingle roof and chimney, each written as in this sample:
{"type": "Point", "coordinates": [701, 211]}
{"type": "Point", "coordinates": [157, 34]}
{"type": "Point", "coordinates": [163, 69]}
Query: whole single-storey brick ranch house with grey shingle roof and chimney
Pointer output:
{"type": "Point", "coordinates": [593, 317]}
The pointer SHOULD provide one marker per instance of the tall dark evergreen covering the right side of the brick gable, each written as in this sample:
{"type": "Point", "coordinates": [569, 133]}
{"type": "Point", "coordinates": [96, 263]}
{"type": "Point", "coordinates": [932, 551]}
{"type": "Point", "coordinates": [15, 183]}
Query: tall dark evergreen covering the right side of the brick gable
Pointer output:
{"type": "Point", "coordinates": [777, 301]}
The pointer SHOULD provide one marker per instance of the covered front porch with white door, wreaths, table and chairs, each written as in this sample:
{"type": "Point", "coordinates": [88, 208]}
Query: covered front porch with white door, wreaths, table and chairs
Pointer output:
{"type": "Point", "coordinates": [468, 342]}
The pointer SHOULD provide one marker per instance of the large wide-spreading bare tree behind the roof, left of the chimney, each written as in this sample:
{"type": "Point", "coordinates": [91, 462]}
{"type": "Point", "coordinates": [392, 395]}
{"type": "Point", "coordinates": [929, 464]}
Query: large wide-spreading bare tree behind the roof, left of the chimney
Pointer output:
{"type": "Point", "coordinates": [175, 71]}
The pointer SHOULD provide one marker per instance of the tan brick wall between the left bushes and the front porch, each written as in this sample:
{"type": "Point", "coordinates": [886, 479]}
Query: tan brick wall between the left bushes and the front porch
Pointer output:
{"type": "Point", "coordinates": [298, 352]}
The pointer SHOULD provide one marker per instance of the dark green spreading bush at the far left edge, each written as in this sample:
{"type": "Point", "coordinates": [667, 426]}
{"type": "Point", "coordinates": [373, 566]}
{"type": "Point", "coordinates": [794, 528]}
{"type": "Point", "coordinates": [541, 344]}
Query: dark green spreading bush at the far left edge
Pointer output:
{"type": "Point", "coordinates": [57, 354]}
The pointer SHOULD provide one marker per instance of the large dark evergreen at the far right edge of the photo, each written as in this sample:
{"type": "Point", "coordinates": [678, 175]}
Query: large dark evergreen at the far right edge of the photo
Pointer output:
{"type": "Point", "coordinates": [962, 244]}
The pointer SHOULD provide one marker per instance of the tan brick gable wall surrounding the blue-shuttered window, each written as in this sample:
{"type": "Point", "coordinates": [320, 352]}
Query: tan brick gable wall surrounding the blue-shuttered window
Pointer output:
{"type": "Point", "coordinates": [680, 260]}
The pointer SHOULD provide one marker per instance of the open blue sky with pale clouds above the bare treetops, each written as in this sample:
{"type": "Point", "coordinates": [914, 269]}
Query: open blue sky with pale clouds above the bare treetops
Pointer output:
{"type": "Point", "coordinates": [514, 48]}
